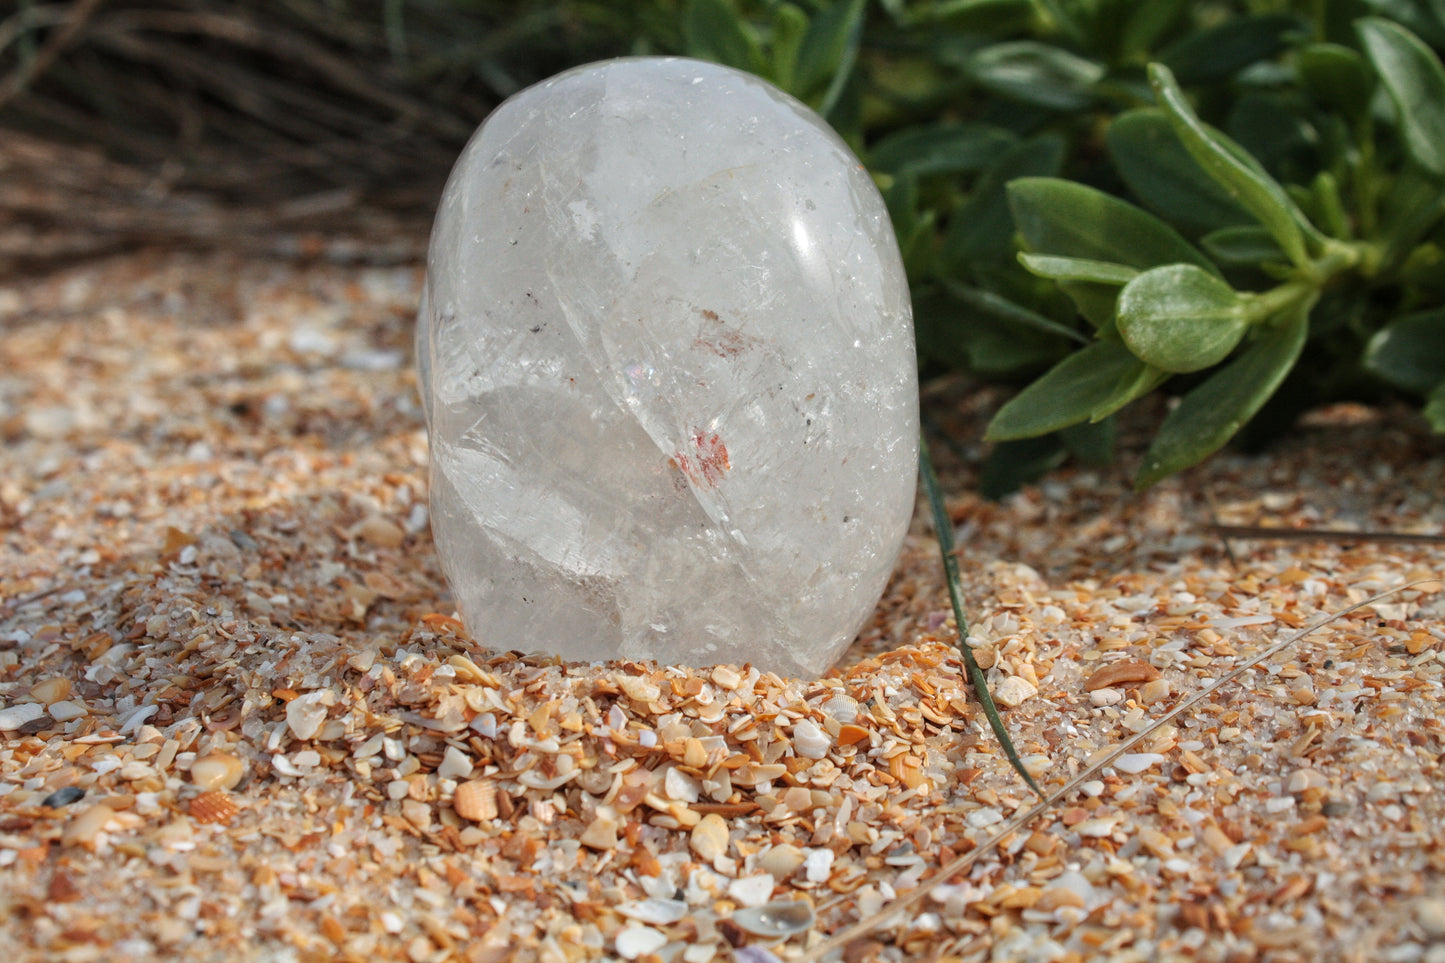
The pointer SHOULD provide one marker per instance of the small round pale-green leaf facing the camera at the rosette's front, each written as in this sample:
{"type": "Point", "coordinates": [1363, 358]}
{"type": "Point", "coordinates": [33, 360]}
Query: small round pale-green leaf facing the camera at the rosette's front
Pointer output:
{"type": "Point", "coordinates": [1180, 319]}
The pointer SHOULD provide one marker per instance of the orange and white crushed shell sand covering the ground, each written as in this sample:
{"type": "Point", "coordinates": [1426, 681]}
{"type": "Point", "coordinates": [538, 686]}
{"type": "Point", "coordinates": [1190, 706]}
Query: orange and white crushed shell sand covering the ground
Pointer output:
{"type": "Point", "coordinates": [239, 721]}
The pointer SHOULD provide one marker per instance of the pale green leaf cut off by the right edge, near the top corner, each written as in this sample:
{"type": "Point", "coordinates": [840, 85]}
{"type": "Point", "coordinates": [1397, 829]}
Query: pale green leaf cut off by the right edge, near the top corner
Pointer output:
{"type": "Point", "coordinates": [1415, 82]}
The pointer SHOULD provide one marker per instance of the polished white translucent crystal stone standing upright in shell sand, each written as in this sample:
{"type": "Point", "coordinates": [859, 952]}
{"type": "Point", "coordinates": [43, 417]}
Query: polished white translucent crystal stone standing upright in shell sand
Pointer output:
{"type": "Point", "coordinates": [667, 358]}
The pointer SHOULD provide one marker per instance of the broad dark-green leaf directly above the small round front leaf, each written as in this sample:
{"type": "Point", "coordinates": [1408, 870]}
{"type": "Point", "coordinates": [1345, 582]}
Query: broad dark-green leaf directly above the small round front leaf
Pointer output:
{"type": "Point", "coordinates": [1073, 221]}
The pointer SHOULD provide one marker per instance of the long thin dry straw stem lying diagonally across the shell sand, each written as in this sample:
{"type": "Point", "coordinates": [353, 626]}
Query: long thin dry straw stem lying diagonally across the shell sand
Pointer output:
{"type": "Point", "coordinates": [891, 912]}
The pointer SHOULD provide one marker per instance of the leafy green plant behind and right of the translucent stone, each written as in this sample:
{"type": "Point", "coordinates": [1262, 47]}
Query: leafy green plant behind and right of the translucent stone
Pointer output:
{"type": "Point", "coordinates": [1236, 203]}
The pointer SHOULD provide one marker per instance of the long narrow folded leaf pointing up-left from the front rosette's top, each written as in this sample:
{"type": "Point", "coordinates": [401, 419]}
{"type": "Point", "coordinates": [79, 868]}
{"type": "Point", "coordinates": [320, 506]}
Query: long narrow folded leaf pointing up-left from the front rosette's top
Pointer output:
{"type": "Point", "coordinates": [1235, 170]}
